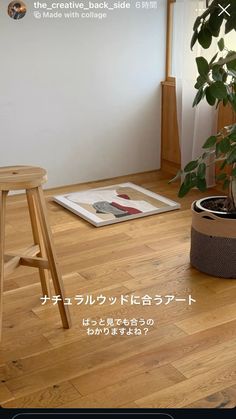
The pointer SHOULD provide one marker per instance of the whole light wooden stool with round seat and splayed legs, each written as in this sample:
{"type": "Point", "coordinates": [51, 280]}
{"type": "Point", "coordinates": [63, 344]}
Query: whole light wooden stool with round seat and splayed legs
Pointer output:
{"type": "Point", "coordinates": [42, 254]}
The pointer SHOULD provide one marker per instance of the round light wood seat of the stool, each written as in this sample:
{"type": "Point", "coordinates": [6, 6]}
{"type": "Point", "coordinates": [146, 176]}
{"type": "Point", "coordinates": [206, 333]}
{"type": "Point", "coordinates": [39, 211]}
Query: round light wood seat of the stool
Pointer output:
{"type": "Point", "coordinates": [21, 177]}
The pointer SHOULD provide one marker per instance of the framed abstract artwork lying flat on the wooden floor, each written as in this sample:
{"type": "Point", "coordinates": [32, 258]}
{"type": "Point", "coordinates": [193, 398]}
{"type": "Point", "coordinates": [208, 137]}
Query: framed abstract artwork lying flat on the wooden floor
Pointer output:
{"type": "Point", "coordinates": [115, 203]}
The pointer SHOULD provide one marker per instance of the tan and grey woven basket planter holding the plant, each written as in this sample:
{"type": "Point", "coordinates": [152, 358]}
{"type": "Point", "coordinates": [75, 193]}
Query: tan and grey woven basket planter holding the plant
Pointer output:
{"type": "Point", "coordinates": [213, 244]}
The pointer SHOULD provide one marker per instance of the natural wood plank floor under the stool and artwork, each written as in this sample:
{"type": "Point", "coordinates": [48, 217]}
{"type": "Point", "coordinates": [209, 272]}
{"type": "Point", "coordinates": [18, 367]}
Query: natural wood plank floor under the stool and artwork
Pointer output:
{"type": "Point", "coordinates": [187, 359]}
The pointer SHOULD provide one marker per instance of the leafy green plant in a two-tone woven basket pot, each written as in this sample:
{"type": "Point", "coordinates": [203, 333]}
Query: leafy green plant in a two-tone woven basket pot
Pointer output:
{"type": "Point", "coordinates": [213, 233]}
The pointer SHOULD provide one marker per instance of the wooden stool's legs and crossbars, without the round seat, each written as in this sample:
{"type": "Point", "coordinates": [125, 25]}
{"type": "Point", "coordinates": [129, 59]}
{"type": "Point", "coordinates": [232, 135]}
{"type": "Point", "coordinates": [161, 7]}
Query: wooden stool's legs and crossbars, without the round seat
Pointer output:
{"type": "Point", "coordinates": [40, 255]}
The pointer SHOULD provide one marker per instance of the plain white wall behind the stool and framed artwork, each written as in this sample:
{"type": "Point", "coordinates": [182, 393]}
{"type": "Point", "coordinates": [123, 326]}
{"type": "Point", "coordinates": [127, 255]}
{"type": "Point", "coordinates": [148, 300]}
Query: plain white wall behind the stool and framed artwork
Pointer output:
{"type": "Point", "coordinates": [82, 98]}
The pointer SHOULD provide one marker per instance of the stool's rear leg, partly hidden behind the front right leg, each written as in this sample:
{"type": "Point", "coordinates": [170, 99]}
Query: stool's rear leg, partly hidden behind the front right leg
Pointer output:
{"type": "Point", "coordinates": [38, 239]}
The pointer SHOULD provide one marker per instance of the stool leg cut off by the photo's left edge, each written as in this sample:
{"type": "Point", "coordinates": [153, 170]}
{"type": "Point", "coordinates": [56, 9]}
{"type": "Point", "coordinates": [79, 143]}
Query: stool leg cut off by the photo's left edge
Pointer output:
{"type": "Point", "coordinates": [3, 196]}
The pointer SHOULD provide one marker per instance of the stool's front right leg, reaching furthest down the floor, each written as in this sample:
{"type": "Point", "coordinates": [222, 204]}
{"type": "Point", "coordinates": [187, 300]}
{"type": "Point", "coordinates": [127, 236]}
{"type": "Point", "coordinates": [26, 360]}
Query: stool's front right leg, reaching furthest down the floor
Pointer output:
{"type": "Point", "coordinates": [51, 255]}
